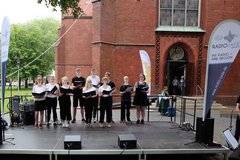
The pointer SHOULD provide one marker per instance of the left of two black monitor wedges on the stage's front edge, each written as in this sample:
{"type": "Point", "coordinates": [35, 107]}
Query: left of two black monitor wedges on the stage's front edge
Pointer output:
{"type": "Point", "coordinates": [72, 142]}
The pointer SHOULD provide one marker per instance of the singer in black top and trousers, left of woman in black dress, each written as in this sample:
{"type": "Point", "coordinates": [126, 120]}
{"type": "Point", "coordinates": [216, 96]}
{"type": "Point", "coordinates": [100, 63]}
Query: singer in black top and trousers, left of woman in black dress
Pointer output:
{"type": "Point", "coordinates": [126, 91]}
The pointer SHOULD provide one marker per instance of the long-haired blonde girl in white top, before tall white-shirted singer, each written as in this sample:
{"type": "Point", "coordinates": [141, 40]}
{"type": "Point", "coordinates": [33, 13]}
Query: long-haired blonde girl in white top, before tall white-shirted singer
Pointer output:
{"type": "Point", "coordinates": [89, 95]}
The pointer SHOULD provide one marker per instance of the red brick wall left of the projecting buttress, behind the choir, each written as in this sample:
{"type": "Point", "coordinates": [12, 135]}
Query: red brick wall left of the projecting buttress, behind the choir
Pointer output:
{"type": "Point", "coordinates": [75, 48]}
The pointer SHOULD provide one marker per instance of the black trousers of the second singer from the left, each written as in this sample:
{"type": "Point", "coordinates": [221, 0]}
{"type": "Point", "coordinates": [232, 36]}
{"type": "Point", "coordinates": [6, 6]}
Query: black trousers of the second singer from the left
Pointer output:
{"type": "Point", "coordinates": [51, 106]}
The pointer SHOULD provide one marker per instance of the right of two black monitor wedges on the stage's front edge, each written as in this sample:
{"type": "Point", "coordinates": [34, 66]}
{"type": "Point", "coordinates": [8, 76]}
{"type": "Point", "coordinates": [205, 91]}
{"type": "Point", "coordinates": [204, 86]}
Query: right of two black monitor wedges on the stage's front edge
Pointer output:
{"type": "Point", "coordinates": [127, 141]}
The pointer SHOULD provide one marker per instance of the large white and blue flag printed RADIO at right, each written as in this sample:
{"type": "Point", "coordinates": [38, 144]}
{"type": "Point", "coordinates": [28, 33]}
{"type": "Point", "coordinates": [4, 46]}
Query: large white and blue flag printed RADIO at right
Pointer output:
{"type": "Point", "coordinates": [223, 47]}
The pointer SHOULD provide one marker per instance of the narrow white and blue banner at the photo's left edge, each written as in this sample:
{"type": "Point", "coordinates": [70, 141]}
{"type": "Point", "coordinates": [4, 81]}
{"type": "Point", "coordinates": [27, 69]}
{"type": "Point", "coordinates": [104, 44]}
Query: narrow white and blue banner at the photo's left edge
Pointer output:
{"type": "Point", "coordinates": [5, 41]}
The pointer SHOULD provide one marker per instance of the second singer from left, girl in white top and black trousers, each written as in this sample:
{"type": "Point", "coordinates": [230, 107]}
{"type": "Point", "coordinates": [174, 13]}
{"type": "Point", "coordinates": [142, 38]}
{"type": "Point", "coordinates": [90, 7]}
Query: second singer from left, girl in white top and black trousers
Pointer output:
{"type": "Point", "coordinates": [51, 100]}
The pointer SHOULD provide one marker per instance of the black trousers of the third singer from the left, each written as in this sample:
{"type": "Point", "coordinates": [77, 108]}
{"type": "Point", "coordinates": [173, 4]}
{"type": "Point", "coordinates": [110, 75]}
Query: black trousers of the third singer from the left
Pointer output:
{"type": "Point", "coordinates": [65, 107]}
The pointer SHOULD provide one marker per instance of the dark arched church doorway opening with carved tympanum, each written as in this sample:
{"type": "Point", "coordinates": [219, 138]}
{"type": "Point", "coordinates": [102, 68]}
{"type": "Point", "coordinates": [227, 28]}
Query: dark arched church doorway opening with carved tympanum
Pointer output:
{"type": "Point", "coordinates": [177, 66]}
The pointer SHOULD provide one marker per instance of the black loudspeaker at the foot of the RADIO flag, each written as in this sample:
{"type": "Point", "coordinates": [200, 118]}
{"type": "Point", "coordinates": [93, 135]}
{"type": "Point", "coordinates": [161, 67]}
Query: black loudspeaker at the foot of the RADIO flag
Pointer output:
{"type": "Point", "coordinates": [205, 130]}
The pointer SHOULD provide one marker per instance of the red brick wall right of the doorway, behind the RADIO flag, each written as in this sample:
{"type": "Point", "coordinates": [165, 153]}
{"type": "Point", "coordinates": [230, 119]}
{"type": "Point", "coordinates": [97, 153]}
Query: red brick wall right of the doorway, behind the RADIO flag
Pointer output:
{"type": "Point", "coordinates": [215, 12]}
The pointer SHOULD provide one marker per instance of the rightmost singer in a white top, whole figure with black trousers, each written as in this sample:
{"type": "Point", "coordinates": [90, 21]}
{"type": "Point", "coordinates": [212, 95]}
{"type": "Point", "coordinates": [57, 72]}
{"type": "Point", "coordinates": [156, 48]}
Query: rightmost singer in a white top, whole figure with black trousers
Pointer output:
{"type": "Point", "coordinates": [105, 102]}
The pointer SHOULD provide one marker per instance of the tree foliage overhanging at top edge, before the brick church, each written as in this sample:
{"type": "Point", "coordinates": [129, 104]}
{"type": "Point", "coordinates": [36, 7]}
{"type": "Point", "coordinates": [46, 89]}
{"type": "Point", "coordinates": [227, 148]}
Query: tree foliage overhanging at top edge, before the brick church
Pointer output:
{"type": "Point", "coordinates": [65, 5]}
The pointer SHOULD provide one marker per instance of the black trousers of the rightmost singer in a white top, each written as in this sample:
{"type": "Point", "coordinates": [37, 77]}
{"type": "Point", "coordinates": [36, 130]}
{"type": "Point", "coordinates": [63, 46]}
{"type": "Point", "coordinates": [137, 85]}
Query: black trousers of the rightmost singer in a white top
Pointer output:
{"type": "Point", "coordinates": [105, 106]}
